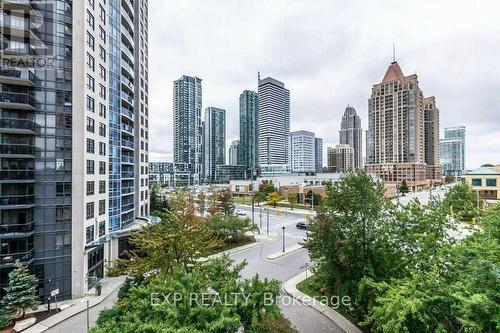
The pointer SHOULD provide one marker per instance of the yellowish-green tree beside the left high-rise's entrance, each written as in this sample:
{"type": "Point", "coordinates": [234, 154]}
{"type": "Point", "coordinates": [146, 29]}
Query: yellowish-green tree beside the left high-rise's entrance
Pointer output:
{"type": "Point", "coordinates": [180, 239]}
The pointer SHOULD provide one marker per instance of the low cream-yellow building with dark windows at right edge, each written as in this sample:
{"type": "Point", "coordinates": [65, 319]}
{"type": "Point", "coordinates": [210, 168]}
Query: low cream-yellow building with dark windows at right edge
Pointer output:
{"type": "Point", "coordinates": [485, 181]}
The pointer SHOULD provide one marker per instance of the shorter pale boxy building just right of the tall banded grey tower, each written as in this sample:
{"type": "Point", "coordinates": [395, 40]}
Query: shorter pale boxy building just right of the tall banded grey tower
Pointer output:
{"type": "Point", "coordinates": [303, 152]}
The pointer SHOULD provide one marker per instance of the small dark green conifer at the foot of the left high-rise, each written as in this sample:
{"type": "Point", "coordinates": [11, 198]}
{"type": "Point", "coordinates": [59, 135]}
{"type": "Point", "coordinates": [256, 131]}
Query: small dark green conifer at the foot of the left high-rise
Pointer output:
{"type": "Point", "coordinates": [22, 291]}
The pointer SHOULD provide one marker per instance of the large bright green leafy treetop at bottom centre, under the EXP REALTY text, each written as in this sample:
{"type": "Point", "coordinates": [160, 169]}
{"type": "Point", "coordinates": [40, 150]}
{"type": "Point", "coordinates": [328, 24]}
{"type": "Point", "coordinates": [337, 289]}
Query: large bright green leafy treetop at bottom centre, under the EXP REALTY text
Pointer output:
{"type": "Point", "coordinates": [200, 302]}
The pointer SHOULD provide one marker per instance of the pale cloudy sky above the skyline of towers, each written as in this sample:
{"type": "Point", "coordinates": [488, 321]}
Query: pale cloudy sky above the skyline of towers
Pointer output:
{"type": "Point", "coordinates": [329, 54]}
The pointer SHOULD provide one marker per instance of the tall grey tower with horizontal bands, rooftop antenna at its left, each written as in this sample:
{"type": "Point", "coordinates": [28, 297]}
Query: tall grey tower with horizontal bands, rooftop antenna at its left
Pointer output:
{"type": "Point", "coordinates": [273, 124]}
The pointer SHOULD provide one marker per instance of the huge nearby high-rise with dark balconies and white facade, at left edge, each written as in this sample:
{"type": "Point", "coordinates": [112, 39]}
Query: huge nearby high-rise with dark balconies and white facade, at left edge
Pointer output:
{"type": "Point", "coordinates": [74, 132]}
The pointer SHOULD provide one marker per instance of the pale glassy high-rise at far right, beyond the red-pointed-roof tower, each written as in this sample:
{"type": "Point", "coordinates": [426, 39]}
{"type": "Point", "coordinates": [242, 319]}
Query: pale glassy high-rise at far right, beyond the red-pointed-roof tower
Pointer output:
{"type": "Point", "coordinates": [452, 158]}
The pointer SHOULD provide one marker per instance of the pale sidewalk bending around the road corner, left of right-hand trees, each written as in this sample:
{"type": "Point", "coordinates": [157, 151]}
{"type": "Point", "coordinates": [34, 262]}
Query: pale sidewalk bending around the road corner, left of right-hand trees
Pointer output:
{"type": "Point", "coordinates": [290, 288]}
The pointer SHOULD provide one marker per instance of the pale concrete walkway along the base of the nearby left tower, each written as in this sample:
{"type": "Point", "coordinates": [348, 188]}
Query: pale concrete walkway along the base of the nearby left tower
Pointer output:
{"type": "Point", "coordinates": [78, 305]}
